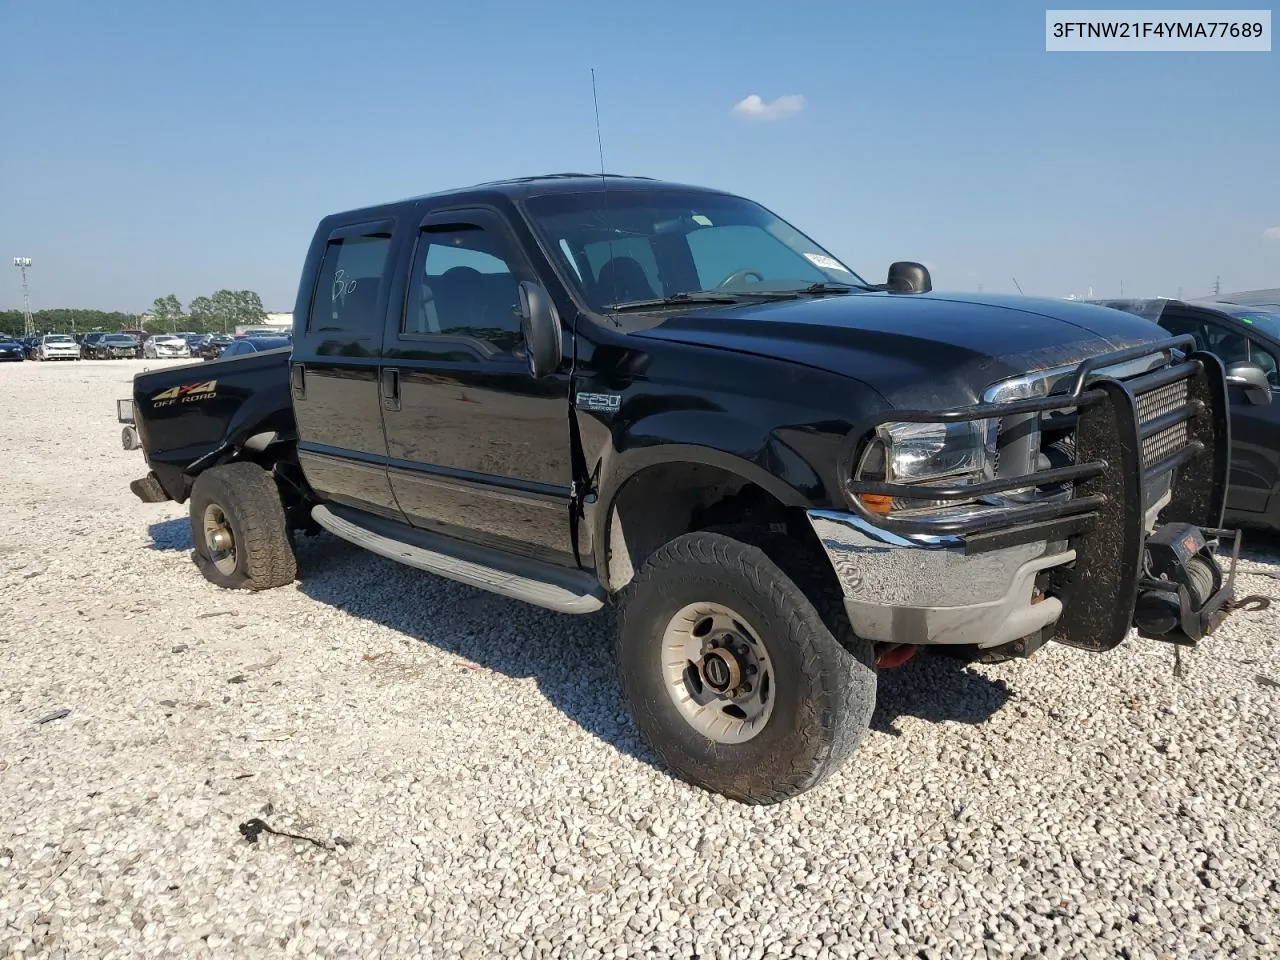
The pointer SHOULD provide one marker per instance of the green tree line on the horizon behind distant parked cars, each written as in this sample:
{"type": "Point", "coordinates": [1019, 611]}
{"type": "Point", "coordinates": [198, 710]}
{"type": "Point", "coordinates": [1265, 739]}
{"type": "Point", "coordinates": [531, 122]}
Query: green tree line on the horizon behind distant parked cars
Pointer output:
{"type": "Point", "coordinates": [221, 313]}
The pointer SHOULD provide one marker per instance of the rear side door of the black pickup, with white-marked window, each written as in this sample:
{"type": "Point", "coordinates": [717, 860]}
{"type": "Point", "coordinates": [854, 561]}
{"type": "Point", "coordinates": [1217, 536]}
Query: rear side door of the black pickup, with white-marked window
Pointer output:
{"type": "Point", "coordinates": [335, 372]}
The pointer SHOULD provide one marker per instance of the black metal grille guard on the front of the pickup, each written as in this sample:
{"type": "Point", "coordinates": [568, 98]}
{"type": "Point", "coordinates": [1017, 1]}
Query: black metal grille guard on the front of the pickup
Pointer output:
{"type": "Point", "coordinates": [1112, 482]}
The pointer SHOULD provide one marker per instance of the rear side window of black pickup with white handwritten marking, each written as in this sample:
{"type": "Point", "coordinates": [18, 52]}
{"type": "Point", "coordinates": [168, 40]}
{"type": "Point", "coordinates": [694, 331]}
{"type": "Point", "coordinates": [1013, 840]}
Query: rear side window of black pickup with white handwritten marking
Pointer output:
{"type": "Point", "coordinates": [351, 276]}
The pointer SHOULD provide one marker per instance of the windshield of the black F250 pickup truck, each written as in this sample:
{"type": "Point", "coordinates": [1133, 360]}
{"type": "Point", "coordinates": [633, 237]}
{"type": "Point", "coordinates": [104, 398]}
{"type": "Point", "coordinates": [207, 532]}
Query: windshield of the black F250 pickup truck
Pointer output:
{"type": "Point", "coordinates": [636, 246]}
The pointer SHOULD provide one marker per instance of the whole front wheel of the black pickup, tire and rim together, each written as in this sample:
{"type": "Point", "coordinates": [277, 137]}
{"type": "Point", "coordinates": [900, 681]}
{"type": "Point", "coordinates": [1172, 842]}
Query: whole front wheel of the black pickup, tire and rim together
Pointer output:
{"type": "Point", "coordinates": [734, 676]}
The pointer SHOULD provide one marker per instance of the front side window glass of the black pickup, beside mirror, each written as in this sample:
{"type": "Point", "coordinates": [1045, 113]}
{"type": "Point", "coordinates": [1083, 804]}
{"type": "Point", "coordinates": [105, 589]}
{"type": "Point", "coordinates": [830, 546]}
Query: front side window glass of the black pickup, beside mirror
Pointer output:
{"type": "Point", "coordinates": [465, 287]}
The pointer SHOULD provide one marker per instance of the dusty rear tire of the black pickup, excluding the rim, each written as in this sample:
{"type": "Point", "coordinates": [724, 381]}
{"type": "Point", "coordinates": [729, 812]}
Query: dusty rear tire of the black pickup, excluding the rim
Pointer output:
{"type": "Point", "coordinates": [248, 499]}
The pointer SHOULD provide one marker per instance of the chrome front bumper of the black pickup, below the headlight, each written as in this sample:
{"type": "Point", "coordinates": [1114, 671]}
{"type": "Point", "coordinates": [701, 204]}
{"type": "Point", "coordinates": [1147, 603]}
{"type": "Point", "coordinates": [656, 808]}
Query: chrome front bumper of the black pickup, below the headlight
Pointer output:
{"type": "Point", "coordinates": [922, 589]}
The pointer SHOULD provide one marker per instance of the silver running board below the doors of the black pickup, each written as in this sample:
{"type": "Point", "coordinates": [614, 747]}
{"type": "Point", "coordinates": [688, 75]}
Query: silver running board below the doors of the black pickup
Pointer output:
{"type": "Point", "coordinates": [518, 578]}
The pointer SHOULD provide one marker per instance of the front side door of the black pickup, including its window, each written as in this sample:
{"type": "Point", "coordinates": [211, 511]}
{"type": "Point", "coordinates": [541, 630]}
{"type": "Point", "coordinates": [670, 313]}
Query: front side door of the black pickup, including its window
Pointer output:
{"type": "Point", "coordinates": [477, 449]}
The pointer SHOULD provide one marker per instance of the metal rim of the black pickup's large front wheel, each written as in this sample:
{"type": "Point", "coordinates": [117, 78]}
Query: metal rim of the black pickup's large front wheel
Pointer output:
{"type": "Point", "coordinates": [719, 674]}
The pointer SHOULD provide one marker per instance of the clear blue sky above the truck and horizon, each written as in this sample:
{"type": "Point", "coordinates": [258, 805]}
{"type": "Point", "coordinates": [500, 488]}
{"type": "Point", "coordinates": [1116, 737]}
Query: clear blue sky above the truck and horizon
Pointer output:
{"type": "Point", "coordinates": [157, 148]}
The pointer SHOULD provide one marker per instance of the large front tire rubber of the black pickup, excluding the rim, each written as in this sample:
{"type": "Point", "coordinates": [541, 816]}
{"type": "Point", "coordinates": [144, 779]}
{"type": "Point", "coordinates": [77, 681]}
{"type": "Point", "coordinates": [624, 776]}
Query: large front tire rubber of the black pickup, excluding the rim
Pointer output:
{"type": "Point", "coordinates": [825, 675]}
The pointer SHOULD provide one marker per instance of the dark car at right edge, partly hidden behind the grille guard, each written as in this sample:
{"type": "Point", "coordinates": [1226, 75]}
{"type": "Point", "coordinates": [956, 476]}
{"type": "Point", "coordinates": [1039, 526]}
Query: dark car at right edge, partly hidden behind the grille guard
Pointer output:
{"type": "Point", "coordinates": [1247, 340]}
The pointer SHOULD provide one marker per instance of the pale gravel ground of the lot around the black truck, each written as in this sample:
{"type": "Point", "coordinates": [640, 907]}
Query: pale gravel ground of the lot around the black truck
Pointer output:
{"type": "Point", "coordinates": [467, 783]}
